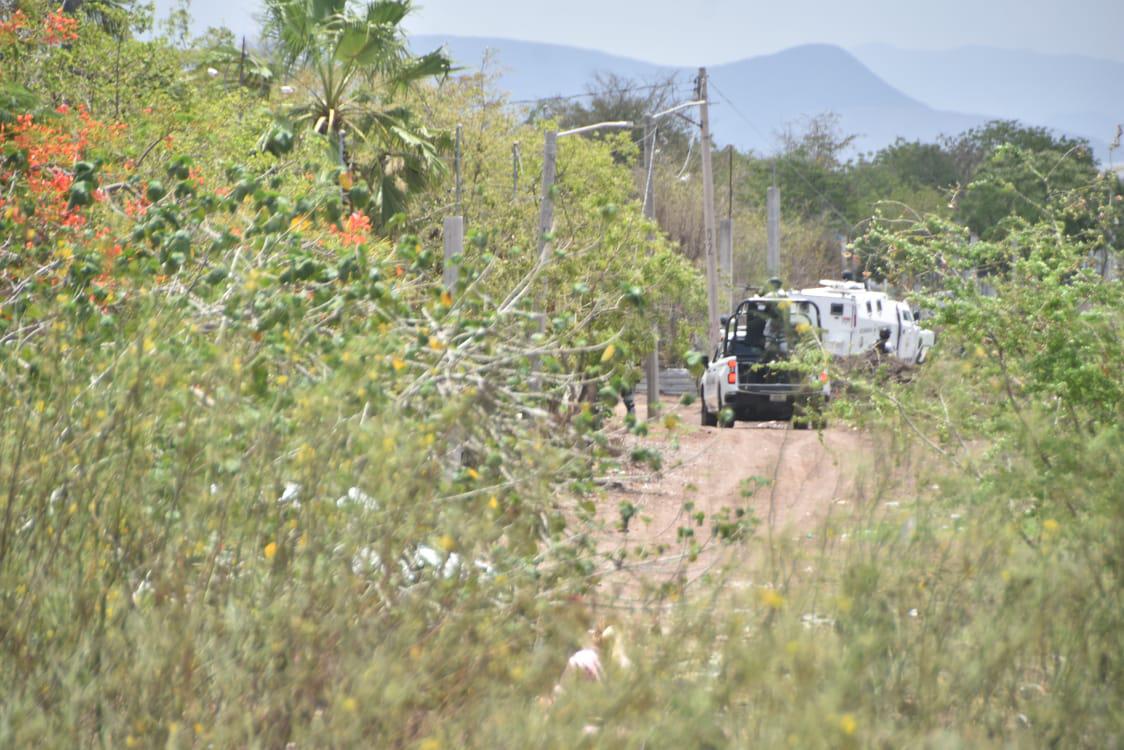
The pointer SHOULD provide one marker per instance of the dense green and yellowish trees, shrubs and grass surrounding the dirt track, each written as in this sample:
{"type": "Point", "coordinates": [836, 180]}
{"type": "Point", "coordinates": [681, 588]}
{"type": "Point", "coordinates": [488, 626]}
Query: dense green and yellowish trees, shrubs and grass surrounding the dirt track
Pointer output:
{"type": "Point", "coordinates": [265, 480]}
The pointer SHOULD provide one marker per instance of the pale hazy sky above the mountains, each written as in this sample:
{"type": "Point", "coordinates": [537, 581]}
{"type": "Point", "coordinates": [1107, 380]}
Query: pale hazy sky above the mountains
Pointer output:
{"type": "Point", "coordinates": [713, 32]}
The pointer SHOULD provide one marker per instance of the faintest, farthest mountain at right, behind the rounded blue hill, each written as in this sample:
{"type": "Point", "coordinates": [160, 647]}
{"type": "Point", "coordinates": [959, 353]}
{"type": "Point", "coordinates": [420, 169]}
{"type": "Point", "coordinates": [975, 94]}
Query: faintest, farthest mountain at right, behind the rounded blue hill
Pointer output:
{"type": "Point", "coordinates": [1083, 96]}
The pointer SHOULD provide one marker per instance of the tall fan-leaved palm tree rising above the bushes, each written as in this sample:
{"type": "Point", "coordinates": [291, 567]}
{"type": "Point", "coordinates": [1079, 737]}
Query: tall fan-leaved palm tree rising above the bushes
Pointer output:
{"type": "Point", "coordinates": [351, 62]}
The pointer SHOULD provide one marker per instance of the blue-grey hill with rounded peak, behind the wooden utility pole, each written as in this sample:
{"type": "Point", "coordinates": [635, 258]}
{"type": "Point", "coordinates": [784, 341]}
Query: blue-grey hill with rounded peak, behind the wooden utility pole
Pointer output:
{"type": "Point", "coordinates": [755, 98]}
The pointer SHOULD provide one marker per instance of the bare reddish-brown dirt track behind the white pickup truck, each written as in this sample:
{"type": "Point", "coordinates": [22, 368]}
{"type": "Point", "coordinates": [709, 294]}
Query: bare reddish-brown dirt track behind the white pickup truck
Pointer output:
{"type": "Point", "coordinates": [790, 480]}
